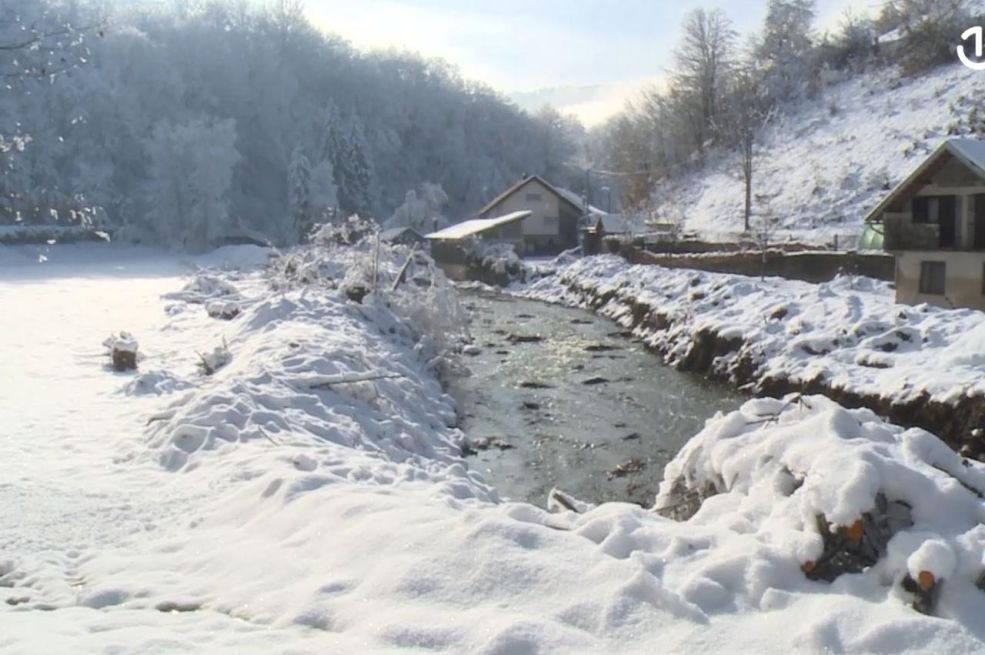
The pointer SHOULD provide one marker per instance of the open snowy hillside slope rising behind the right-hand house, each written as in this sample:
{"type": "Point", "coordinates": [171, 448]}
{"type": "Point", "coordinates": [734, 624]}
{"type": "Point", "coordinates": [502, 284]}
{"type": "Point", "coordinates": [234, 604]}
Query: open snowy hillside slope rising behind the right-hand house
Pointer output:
{"type": "Point", "coordinates": [823, 164]}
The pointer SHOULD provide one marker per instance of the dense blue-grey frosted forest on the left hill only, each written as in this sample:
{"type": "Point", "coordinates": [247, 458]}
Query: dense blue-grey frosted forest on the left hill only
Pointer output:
{"type": "Point", "coordinates": [191, 123]}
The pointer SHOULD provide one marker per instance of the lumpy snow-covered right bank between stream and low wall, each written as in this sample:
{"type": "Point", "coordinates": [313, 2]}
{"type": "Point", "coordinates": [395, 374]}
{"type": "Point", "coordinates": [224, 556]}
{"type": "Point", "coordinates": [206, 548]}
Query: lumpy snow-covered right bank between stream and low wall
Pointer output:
{"type": "Point", "coordinates": [848, 334]}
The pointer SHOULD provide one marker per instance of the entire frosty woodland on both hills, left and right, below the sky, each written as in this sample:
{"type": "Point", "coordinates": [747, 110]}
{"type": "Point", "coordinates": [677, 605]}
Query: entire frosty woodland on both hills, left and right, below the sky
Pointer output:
{"type": "Point", "coordinates": [193, 123]}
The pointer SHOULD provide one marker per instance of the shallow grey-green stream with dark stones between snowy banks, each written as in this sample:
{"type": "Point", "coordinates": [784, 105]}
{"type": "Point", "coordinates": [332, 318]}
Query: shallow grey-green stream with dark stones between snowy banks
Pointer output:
{"type": "Point", "coordinates": [576, 405]}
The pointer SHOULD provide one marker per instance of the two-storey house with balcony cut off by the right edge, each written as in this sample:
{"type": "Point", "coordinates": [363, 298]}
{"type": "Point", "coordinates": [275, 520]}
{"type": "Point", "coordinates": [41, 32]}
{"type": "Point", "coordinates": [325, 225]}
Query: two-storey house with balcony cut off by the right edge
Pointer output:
{"type": "Point", "coordinates": [934, 224]}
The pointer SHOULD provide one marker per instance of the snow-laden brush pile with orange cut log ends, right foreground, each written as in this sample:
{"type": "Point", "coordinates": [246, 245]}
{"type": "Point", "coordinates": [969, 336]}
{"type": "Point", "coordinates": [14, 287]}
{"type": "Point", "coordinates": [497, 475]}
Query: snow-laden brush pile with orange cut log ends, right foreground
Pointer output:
{"type": "Point", "coordinates": [840, 491]}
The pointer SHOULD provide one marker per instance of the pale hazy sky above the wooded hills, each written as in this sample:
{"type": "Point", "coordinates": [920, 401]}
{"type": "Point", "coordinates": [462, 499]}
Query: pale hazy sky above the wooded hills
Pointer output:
{"type": "Point", "coordinates": [522, 45]}
